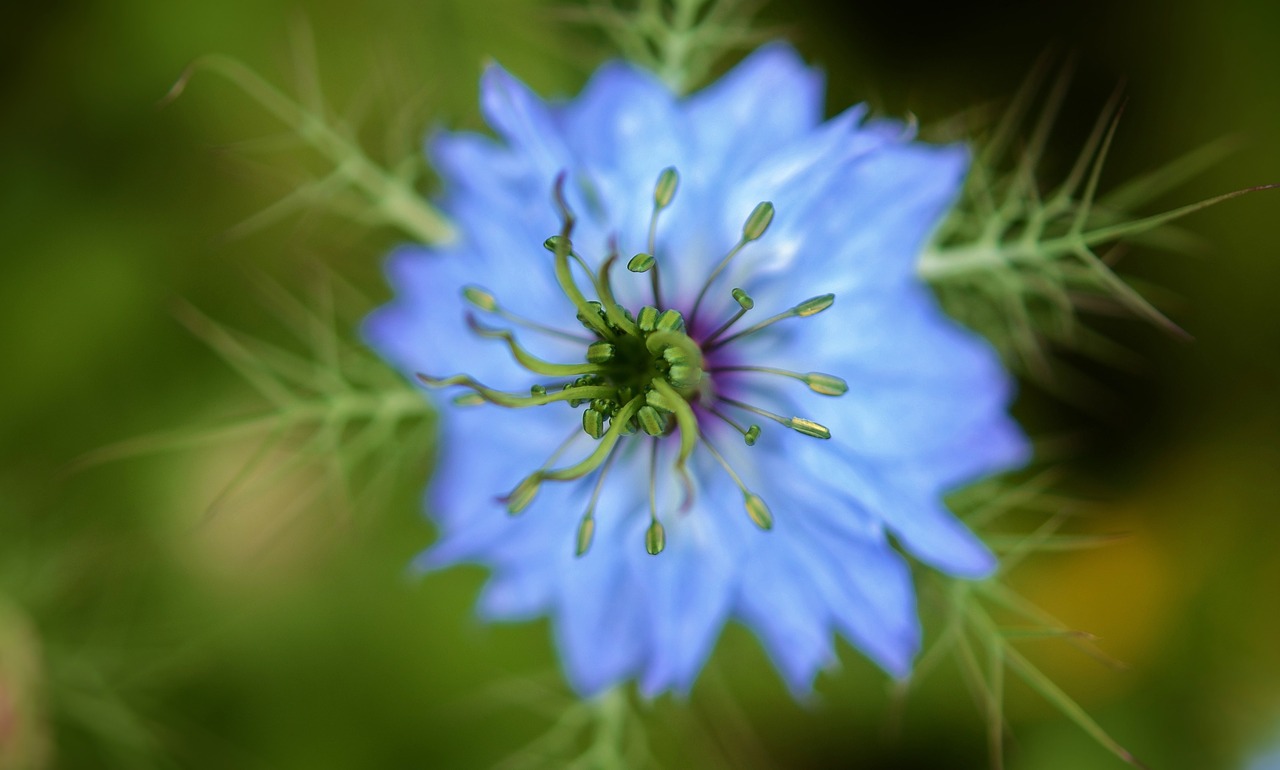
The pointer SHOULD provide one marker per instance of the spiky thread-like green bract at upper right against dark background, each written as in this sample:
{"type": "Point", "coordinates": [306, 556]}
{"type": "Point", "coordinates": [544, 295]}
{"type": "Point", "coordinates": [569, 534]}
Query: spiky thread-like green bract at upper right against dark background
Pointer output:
{"type": "Point", "coordinates": [1020, 263]}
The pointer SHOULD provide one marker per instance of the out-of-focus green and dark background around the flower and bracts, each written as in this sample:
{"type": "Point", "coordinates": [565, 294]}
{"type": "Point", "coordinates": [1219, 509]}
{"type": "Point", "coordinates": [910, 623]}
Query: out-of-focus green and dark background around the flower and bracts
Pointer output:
{"type": "Point", "coordinates": [149, 622]}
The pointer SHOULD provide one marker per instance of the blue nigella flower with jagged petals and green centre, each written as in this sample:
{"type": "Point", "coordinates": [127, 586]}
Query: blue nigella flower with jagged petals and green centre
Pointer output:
{"type": "Point", "coordinates": [689, 349]}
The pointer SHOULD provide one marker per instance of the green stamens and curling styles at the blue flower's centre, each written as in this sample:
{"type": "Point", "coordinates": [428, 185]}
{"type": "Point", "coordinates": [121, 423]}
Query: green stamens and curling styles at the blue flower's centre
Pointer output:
{"type": "Point", "coordinates": [643, 373]}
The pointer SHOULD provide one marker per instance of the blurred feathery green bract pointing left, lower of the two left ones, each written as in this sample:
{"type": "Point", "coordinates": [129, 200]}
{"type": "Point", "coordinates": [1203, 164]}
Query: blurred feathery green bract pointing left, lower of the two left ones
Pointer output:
{"type": "Point", "coordinates": [337, 418]}
